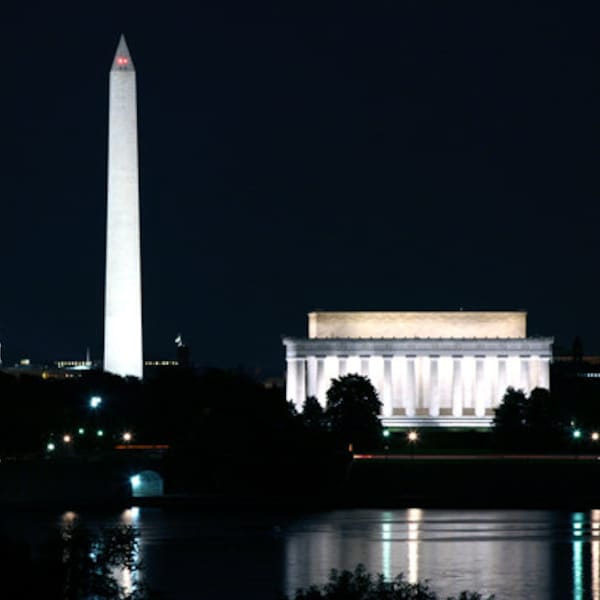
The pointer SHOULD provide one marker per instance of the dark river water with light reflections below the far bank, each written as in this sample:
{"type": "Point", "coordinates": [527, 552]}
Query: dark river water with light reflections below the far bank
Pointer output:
{"type": "Point", "coordinates": [516, 554]}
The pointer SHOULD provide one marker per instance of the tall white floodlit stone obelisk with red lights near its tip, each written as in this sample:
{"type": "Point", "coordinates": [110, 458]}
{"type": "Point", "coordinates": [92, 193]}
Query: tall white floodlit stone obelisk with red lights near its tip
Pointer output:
{"type": "Point", "coordinates": [123, 293]}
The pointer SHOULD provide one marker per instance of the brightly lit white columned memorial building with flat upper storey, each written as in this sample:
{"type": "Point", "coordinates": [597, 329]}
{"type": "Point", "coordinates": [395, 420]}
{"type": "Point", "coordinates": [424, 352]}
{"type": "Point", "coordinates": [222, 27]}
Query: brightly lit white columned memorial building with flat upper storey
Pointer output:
{"type": "Point", "coordinates": [429, 368]}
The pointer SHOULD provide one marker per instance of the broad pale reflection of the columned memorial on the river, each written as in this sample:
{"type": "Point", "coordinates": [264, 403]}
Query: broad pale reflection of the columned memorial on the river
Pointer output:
{"type": "Point", "coordinates": [457, 550]}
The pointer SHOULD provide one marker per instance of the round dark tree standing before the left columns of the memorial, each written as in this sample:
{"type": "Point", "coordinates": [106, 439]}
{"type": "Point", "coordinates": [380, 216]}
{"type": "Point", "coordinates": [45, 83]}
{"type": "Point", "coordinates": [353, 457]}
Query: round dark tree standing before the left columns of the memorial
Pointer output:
{"type": "Point", "coordinates": [352, 410]}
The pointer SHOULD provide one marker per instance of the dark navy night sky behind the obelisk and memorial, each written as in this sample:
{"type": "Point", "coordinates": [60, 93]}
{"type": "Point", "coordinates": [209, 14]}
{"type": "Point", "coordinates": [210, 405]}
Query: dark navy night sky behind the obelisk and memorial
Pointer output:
{"type": "Point", "coordinates": [342, 156]}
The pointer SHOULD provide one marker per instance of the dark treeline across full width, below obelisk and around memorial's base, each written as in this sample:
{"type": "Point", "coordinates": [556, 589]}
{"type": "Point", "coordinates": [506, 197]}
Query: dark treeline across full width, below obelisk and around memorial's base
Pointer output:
{"type": "Point", "coordinates": [224, 413]}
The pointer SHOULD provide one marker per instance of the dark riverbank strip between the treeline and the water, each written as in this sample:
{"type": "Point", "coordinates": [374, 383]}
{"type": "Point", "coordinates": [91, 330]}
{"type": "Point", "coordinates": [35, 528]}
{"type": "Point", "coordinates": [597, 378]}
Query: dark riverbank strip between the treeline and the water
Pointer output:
{"type": "Point", "coordinates": [367, 481]}
